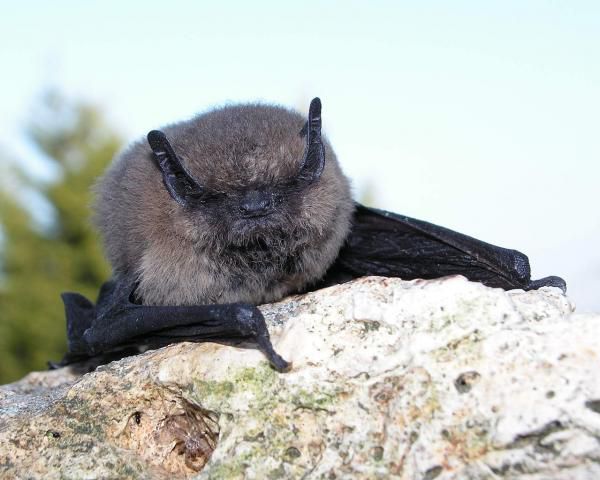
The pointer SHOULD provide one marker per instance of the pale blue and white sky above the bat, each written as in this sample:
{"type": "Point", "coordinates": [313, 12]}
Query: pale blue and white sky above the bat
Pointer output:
{"type": "Point", "coordinates": [479, 116]}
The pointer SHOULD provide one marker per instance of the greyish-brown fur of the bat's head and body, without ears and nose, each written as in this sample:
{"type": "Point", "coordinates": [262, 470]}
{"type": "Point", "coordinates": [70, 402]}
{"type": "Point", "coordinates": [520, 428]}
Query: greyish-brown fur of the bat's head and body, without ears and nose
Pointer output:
{"type": "Point", "coordinates": [208, 255]}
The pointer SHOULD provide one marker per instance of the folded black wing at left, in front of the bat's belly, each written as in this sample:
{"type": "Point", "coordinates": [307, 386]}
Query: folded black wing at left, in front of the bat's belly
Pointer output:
{"type": "Point", "coordinates": [116, 326]}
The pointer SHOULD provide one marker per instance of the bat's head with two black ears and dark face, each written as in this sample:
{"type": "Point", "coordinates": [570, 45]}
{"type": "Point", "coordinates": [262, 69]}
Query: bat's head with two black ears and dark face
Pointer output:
{"type": "Point", "coordinates": [253, 174]}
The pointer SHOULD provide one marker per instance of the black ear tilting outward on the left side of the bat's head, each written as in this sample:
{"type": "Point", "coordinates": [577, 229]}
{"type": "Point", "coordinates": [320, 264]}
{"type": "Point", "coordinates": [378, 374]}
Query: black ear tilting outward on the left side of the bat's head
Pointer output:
{"type": "Point", "coordinates": [180, 184]}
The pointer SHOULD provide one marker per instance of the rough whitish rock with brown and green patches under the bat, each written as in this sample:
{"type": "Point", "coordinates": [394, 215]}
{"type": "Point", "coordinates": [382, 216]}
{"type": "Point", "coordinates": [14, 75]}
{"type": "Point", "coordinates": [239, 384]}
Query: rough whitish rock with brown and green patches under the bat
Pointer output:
{"type": "Point", "coordinates": [442, 379]}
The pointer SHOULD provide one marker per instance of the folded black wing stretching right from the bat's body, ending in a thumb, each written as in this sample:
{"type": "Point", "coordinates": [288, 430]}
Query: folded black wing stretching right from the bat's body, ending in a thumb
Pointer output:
{"type": "Point", "coordinates": [392, 245]}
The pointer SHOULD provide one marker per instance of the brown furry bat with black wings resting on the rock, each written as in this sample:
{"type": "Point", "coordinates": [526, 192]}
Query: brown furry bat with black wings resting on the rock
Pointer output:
{"type": "Point", "coordinates": [240, 206]}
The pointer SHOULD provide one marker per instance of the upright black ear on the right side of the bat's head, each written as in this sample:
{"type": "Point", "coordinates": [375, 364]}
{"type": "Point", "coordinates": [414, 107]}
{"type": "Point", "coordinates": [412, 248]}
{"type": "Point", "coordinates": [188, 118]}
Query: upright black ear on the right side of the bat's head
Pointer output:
{"type": "Point", "coordinates": [314, 155]}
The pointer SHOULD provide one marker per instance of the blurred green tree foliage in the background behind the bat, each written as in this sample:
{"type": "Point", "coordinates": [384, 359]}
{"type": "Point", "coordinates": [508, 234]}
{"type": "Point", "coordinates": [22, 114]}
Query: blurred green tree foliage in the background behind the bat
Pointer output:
{"type": "Point", "coordinates": [40, 261]}
